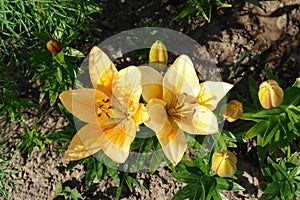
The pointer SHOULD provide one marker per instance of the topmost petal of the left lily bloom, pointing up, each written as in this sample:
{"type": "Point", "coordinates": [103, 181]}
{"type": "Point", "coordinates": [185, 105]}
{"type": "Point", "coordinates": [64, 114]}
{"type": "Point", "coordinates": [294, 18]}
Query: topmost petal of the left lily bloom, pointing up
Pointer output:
{"type": "Point", "coordinates": [102, 70]}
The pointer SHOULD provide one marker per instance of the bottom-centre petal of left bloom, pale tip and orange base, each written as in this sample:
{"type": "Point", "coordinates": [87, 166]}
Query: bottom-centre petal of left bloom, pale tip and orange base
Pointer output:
{"type": "Point", "coordinates": [116, 141]}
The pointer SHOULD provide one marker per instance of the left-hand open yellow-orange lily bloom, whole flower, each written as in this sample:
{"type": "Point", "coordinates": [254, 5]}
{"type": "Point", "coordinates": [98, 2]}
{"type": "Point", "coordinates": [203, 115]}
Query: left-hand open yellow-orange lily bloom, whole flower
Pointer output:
{"type": "Point", "coordinates": [111, 110]}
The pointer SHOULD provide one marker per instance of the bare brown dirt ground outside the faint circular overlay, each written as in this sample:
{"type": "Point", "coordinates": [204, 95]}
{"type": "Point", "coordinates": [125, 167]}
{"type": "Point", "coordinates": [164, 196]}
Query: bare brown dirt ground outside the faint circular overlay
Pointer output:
{"type": "Point", "coordinates": [268, 29]}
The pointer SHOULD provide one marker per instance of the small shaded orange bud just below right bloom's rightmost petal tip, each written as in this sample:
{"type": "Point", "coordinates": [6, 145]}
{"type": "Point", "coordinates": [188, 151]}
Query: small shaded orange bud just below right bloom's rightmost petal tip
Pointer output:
{"type": "Point", "coordinates": [232, 111]}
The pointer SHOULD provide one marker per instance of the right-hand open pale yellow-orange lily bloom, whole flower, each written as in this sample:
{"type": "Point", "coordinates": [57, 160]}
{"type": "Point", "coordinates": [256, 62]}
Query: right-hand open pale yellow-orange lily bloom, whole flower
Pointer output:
{"type": "Point", "coordinates": [177, 103]}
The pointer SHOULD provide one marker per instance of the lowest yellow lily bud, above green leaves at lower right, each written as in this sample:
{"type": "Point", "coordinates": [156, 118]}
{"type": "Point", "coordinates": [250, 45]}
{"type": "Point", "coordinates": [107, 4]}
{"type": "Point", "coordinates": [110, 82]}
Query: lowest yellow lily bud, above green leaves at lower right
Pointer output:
{"type": "Point", "coordinates": [224, 163]}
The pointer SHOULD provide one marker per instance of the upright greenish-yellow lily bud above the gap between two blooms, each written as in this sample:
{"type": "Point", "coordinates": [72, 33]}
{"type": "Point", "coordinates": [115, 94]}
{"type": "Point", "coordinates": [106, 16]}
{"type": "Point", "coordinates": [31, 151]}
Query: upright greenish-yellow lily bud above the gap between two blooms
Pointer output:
{"type": "Point", "coordinates": [158, 56]}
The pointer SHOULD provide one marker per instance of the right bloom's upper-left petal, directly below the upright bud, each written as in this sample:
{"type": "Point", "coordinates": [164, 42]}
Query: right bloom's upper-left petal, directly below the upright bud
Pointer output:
{"type": "Point", "coordinates": [151, 83]}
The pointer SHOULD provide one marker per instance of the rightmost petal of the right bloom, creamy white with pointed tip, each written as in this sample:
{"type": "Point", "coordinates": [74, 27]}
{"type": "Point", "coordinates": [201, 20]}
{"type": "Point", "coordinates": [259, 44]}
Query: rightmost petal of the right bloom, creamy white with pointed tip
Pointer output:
{"type": "Point", "coordinates": [212, 92]}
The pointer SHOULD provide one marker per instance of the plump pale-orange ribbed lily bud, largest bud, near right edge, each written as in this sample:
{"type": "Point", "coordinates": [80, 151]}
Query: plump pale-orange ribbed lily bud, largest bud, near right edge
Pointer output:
{"type": "Point", "coordinates": [270, 94]}
